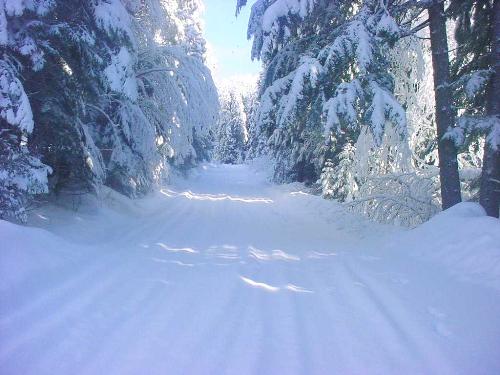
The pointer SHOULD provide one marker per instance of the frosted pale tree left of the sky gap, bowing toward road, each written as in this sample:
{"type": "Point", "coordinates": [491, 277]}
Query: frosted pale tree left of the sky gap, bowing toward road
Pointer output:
{"type": "Point", "coordinates": [178, 95]}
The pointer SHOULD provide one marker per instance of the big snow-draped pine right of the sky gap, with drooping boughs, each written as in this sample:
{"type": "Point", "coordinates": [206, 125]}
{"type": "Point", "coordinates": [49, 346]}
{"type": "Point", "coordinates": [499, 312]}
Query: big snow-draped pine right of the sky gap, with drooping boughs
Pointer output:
{"type": "Point", "coordinates": [325, 74]}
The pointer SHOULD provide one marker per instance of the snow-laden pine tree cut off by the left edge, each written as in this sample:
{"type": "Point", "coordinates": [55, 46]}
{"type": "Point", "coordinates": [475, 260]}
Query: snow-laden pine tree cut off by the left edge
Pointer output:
{"type": "Point", "coordinates": [22, 175]}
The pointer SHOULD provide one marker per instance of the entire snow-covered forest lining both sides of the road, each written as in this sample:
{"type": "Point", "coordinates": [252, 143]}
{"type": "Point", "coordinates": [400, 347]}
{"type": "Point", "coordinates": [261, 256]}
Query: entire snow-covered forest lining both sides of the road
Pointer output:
{"type": "Point", "coordinates": [117, 93]}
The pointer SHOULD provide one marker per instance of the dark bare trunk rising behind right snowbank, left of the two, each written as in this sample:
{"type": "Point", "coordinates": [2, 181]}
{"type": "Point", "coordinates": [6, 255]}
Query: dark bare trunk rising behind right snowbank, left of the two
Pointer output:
{"type": "Point", "coordinates": [445, 118]}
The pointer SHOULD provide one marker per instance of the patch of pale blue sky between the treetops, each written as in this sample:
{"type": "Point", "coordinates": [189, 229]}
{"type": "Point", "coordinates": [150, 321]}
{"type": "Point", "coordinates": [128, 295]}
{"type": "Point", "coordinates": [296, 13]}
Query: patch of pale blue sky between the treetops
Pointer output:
{"type": "Point", "coordinates": [227, 39]}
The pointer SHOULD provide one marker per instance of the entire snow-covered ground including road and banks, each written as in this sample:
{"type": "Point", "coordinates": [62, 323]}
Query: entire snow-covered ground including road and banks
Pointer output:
{"type": "Point", "coordinates": [224, 273]}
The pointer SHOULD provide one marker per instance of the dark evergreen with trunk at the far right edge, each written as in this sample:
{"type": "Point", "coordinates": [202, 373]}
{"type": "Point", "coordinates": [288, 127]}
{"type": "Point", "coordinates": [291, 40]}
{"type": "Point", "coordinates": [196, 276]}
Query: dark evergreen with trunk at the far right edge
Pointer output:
{"type": "Point", "coordinates": [475, 73]}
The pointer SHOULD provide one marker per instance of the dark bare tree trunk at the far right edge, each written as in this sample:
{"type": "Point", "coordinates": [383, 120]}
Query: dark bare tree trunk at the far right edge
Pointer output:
{"type": "Point", "coordinates": [490, 179]}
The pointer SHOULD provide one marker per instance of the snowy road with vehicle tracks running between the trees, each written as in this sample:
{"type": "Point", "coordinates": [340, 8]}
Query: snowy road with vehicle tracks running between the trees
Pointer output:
{"type": "Point", "coordinates": [226, 275]}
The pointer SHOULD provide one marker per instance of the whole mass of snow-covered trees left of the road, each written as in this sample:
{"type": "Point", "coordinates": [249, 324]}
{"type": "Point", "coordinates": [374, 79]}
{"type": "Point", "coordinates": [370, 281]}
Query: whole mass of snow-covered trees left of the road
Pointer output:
{"type": "Point", "coordinates": [99, 92]}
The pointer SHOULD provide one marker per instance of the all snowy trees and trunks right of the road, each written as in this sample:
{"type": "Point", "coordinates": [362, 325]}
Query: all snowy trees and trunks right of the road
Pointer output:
{"type": "Point", "coordinates": [355, 98]}
